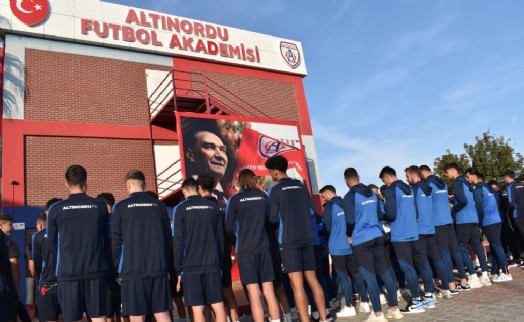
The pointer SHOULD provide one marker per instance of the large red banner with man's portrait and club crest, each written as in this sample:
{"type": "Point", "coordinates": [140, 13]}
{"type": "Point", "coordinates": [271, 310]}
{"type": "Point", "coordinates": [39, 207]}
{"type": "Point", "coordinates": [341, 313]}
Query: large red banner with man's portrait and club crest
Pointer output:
{"type": "Point", "coordinates": [224, 145]}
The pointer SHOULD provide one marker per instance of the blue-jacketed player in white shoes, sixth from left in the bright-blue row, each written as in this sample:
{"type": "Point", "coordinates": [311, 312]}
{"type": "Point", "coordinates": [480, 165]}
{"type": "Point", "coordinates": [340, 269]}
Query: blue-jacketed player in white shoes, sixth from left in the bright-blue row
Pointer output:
{"type": "Point", "coordinates": [466, 224]}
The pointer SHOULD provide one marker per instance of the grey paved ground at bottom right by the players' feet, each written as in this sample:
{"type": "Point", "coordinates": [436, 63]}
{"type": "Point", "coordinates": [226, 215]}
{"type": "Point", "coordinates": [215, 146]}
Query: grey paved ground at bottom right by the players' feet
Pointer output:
{"type": "Point", "coordinates": [500, 302]}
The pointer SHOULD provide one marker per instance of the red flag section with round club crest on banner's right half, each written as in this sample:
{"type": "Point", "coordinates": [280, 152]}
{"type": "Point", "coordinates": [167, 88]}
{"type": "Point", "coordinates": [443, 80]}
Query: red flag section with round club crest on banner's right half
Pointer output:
{"type": "Point", "coordinates": [255, 148]}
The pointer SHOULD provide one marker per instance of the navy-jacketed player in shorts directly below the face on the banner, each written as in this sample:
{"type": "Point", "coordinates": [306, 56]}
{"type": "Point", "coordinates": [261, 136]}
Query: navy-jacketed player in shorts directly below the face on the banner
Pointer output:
{"type": "Point", "coordinates": [198, 248]}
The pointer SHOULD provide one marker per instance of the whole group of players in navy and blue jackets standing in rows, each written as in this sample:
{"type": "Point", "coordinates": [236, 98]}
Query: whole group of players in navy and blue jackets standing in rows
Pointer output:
{"type": "Point", "coordinates": [133, 259]}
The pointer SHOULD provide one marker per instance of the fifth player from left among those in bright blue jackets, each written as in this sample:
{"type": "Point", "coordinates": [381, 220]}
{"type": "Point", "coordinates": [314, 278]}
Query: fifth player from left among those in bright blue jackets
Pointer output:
{"type": "Point", "coordinates": [445, 230]}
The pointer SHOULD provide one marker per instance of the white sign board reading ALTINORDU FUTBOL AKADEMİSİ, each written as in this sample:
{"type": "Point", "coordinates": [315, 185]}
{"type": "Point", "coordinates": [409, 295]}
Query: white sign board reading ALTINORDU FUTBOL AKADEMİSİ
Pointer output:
{"type": "Point", "coordinates": [108, 24]}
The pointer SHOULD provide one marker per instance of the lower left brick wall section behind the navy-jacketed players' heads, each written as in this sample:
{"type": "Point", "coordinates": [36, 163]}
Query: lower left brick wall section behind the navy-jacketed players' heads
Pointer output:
{"type": "Point", "coordinates": [107, 161]}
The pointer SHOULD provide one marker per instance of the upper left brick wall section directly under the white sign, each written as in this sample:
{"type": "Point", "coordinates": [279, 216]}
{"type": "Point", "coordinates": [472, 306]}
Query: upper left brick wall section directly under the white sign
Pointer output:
{"type": "Point", "coordinates": [75, 88]}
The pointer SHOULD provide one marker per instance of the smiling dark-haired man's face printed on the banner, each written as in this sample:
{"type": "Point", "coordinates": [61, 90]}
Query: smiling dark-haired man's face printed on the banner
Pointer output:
{"type": "Point", "coordinates": [209, 153]}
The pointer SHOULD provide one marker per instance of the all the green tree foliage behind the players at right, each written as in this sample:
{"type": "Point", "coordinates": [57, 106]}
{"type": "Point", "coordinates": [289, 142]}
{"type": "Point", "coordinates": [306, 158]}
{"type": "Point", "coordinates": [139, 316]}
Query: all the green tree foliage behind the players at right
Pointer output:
{"type": "Point", "coordinates": [491, 155]}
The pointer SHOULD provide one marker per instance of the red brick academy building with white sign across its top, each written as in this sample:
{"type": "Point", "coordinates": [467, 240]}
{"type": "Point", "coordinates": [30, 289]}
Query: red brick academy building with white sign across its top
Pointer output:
{"type": "Point", "coordinates": [83, 85]}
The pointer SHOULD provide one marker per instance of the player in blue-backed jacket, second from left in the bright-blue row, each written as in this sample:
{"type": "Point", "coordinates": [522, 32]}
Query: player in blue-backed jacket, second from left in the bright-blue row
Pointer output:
{"type": "Point", "coordinates": [365, 234]}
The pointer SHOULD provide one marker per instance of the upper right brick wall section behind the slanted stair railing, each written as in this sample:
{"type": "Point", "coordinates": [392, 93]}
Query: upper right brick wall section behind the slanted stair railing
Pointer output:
{"type": "Point", "coordinates": [276, 99]}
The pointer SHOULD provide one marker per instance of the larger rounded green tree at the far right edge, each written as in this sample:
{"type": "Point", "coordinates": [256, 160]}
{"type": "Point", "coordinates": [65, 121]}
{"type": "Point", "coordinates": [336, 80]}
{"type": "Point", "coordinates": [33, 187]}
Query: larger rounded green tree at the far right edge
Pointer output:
{"type": "Point", "coordinates": [493, 155]}
